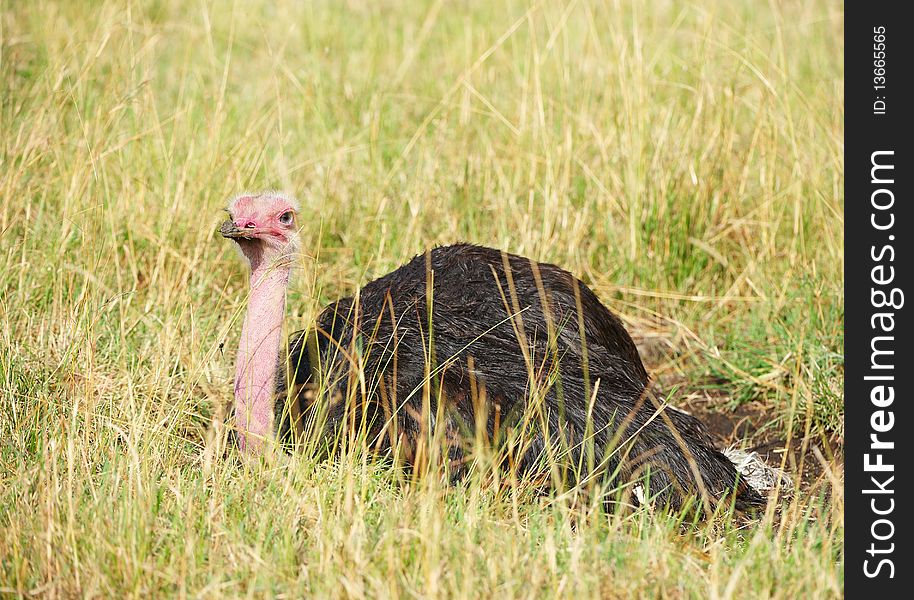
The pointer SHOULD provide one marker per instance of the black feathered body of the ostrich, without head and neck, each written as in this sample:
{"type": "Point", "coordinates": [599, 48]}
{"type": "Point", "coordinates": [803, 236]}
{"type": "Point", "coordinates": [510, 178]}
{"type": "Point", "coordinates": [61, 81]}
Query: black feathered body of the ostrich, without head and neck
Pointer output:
{"type": "Point", "coordinates": [494, 319]}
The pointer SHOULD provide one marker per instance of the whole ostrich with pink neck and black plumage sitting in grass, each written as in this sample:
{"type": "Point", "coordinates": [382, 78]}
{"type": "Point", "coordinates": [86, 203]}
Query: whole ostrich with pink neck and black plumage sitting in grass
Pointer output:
{"type": "Point", "coordinates": [513, 350]}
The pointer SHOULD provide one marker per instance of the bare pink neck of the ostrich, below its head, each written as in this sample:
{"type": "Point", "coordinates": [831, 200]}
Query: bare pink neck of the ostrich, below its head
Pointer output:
{"type": "Point", "coordinates": [258, 355]}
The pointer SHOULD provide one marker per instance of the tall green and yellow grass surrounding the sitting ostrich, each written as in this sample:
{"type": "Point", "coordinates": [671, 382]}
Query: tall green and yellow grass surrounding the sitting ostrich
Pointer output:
{"type": "Point", "coordinates": [684, 159]}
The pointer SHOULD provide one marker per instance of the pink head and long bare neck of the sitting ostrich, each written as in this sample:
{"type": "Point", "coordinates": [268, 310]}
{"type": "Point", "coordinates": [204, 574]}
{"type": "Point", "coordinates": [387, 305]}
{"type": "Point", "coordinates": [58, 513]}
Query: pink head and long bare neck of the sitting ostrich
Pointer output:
{"type": "Point", "coordinates": [264, 228]}
